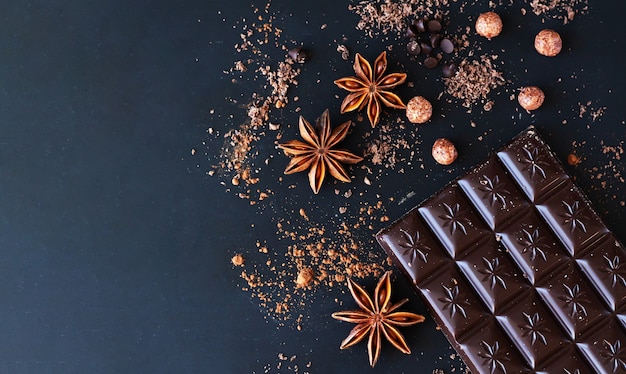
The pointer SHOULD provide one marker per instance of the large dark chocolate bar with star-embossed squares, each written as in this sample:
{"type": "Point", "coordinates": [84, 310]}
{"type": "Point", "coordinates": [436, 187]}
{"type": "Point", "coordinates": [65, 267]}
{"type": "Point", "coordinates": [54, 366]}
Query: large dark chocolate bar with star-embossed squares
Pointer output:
{"type": "Point", "coordinates": [517, 268]}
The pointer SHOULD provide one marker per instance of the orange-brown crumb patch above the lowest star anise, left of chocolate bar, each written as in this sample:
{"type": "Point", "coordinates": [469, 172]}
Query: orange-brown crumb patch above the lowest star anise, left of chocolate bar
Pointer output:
{"type": "Point", "coordinates": [313, 255]}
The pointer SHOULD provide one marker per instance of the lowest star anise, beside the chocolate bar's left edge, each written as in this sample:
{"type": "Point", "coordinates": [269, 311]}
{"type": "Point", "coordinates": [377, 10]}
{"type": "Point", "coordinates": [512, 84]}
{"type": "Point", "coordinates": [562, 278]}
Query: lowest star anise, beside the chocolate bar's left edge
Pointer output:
{"type": "Point", "coordinates": [376, 318]}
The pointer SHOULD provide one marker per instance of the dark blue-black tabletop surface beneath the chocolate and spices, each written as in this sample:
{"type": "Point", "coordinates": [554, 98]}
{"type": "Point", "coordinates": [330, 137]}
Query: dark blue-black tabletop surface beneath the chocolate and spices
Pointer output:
{"type": "Point", "coordinates": [115, 245]}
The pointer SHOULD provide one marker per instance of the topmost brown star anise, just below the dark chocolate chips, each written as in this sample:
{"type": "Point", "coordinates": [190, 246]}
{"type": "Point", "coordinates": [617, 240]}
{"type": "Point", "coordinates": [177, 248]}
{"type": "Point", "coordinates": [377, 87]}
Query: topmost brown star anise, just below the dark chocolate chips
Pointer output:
{"type": "Point", "coordinates": [371, 87]}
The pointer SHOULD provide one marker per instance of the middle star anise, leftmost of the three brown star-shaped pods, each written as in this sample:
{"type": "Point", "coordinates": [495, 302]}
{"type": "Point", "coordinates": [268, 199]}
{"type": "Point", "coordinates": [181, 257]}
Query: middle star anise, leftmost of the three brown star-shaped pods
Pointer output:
{"type": "Point", "coordinates": [316, 153]}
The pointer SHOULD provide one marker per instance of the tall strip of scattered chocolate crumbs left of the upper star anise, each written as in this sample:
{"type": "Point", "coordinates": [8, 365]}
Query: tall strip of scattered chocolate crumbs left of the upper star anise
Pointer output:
{"type": "Point", "coordinates": [238, 162]}
